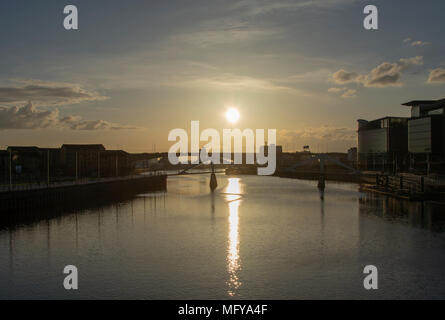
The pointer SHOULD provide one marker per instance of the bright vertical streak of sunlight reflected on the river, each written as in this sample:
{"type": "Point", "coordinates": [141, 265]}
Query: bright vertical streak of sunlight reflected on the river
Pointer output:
{"type": "Point", "coordinates": [233, 197]}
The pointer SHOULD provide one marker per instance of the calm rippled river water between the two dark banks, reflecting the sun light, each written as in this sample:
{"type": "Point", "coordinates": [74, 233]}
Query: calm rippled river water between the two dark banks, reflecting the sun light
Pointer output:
{"type": "Point", "coordinates": [254, 238]}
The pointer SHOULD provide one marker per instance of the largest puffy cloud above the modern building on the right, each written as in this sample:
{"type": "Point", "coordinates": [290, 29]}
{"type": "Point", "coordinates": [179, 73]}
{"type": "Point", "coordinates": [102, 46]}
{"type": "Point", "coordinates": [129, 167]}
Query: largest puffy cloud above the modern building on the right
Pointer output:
{"type": "Point", "coordinates": [385, 75]}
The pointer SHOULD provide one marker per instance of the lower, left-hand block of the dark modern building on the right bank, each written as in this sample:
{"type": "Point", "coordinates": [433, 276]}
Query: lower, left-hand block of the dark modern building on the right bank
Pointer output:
{"type": "Point", "coordinates": [382, 143]}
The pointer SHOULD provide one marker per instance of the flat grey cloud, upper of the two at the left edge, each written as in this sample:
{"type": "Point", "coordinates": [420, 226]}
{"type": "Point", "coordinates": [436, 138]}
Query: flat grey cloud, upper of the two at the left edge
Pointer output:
{"type": "Point", "coordinates": [46, 93]}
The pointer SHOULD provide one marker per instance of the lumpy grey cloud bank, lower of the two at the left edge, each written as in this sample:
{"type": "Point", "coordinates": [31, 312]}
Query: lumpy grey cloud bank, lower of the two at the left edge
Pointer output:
{"type": "Point", "coordinates": [30, 117]}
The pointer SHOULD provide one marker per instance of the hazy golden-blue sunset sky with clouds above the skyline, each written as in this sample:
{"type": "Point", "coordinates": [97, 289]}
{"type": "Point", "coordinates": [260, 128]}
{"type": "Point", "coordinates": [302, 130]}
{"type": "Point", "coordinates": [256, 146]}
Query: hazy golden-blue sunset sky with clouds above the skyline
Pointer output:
{"type": "Point", "coordinates": [134, 70]}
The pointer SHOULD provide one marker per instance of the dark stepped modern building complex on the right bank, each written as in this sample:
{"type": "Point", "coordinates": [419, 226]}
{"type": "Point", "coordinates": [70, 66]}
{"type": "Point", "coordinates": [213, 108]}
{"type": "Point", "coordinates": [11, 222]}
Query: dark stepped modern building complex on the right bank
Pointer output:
{"type": "Point", "coordinates": [416, 143]}
